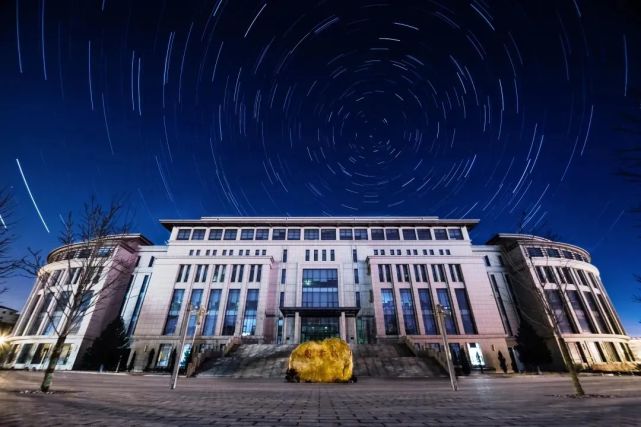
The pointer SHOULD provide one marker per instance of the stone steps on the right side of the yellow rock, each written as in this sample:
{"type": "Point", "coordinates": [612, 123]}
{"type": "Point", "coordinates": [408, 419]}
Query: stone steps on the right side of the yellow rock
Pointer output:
{"type": "Point", "coordinates": [393, 360]}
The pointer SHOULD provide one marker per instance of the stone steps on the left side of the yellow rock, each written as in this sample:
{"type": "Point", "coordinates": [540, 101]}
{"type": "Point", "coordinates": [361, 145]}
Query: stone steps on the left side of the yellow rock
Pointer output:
{"type": "Point", "coordinates": [251, 361]}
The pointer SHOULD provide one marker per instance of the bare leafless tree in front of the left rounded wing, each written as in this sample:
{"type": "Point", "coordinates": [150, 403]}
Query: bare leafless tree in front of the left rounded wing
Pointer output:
{"type": "Point", "coordinates": [93, 272]}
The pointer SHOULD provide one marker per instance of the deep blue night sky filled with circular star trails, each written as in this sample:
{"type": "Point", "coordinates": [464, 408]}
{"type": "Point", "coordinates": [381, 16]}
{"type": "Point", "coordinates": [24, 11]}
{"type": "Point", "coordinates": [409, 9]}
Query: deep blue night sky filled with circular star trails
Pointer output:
{"type": "Point", "coordinates": [506, 111]}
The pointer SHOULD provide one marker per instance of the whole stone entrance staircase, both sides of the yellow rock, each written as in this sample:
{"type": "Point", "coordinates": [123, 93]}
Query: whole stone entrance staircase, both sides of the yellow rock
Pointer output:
{"type": "Point", "coordinates": [385, 360]}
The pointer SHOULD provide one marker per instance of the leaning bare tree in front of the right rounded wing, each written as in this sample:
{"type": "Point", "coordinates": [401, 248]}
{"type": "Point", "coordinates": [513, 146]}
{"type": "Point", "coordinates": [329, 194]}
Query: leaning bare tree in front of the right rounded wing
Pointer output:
{"type": "Point", "coordinates": [550, 321]}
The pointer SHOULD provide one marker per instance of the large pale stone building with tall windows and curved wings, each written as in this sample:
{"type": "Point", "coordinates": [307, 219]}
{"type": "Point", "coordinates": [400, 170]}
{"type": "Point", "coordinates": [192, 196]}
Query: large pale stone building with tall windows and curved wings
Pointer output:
{"type": "Point", "coordinates": [285, 280]}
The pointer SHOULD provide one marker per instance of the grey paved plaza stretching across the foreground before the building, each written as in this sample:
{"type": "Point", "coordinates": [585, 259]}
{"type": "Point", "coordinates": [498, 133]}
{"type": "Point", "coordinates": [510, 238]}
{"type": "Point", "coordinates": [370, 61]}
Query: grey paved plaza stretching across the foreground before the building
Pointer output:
{"type": "Point", "coordinates": [108, 399]}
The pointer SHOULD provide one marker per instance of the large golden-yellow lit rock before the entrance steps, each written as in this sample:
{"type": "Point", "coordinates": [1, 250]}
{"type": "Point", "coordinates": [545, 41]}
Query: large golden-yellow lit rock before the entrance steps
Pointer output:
{"type": "Point", "coordinates": [324, 361]}
